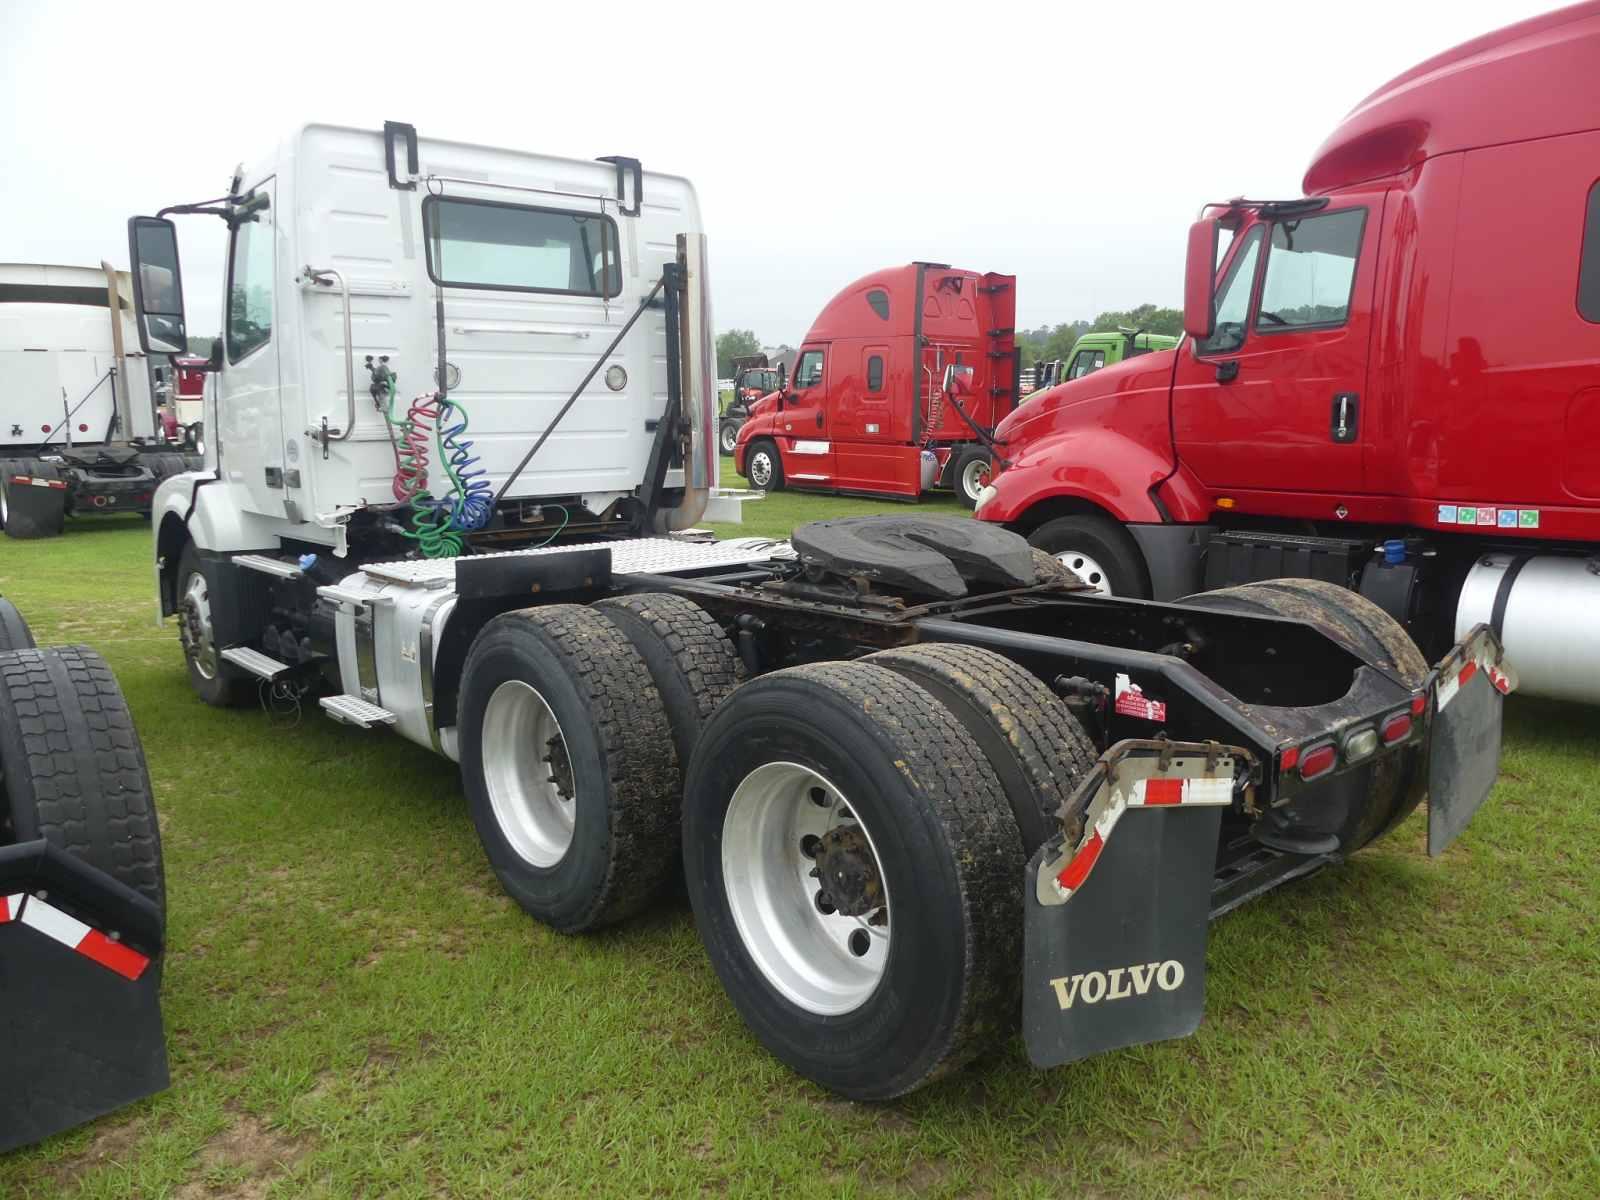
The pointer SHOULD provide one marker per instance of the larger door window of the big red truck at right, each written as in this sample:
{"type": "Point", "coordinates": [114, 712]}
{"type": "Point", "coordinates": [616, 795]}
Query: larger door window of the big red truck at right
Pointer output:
{"type": "Point", "coordinates": [1311, 271]}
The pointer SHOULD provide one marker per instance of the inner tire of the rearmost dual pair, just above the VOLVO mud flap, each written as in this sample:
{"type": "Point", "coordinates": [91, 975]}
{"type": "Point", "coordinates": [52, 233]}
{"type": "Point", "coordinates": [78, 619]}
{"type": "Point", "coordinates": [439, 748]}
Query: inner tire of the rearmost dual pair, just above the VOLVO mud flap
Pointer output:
{"type": "Point", "coordinates": [1036, 746]}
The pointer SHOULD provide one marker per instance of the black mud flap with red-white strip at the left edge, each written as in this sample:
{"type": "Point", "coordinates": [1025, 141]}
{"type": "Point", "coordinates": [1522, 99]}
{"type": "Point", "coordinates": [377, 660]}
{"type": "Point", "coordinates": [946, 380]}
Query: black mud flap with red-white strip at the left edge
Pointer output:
{"type": "Point", "coordinates": [81, 974]}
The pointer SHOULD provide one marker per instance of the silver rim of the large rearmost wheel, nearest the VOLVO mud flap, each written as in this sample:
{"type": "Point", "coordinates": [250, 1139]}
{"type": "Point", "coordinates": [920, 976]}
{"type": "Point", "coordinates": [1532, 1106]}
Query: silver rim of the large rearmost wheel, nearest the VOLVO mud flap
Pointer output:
{"type": "Point", "coordinates": [826, 964]}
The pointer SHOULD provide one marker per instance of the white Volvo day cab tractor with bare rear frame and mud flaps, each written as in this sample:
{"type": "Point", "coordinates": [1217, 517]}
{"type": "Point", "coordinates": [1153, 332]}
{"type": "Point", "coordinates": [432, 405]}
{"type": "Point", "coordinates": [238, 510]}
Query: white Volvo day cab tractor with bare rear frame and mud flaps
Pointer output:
{"type": "Point", "coordinates": [918, 777]}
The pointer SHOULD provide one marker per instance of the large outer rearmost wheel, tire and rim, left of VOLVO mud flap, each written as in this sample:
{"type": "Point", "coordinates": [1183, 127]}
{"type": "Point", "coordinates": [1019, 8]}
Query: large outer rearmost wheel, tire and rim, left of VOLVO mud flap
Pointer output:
{"type": "Point", "coordinates": [868, 1010]}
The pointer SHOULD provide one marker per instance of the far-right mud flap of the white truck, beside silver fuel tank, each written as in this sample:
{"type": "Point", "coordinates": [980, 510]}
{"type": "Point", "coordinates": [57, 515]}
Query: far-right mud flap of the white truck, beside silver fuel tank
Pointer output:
{"type": "Point", "coordinates": [1470, 702]}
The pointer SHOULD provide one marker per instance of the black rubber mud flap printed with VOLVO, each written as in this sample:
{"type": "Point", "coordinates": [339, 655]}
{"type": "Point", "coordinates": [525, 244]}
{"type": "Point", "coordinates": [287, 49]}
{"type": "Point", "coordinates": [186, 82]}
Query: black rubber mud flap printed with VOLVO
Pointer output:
{"type": "Point", "coordinates": [1122, 961]}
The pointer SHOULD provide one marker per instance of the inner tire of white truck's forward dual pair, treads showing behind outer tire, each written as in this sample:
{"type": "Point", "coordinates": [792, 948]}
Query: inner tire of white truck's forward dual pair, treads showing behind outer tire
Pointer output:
{"type": "Point", "coordinates": [690, 660]}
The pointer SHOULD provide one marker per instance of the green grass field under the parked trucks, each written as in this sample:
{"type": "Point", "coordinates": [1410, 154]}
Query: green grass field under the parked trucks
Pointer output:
{"type": "Point", "coordinates": [354, 1009]}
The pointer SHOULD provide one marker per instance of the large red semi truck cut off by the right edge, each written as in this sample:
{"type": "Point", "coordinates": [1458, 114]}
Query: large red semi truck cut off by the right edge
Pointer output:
{"type": "Point", "coordinates": [1391, 383]}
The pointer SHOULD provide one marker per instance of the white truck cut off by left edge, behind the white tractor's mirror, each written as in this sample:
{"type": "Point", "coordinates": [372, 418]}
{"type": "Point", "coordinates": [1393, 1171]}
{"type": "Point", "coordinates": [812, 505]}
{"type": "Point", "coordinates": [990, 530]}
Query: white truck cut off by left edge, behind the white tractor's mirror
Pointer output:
{"type": "Point", "coordinates": [79, 431]}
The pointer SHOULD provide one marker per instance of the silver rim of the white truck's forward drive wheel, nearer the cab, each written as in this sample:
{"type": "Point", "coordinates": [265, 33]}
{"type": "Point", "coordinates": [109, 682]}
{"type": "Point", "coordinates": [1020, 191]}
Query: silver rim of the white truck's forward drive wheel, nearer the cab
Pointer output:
{"type": "Point", "coordinates": [521, 738]}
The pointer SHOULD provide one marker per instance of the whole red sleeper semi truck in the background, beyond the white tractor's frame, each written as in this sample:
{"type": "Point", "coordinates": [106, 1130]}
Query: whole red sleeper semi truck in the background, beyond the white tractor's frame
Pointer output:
{"type": "Point", "coordinates": [895, 390]}
